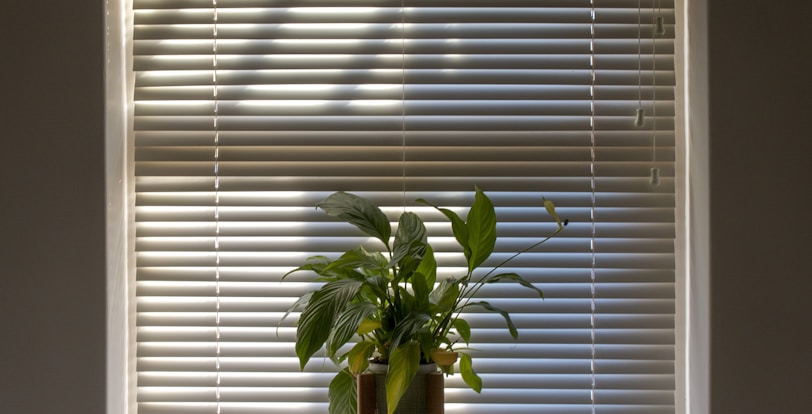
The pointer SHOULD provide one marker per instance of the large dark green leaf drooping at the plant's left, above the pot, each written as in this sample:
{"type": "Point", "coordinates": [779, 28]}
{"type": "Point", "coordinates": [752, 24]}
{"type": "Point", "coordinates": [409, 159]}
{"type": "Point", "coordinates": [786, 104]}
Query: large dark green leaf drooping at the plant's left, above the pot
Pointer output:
{"type": "Point", "coordinates": [317, 318]}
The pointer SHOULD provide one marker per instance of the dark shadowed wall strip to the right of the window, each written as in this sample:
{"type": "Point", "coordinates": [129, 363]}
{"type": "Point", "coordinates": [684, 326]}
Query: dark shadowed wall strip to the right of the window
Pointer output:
{"type": "Point", "coordinates": [760, 173]}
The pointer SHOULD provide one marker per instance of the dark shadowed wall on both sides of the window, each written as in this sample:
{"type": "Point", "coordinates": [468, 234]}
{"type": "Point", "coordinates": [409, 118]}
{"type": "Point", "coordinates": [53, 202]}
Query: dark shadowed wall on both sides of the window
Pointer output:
{"type": "Point", "coordinates": [52, 293]}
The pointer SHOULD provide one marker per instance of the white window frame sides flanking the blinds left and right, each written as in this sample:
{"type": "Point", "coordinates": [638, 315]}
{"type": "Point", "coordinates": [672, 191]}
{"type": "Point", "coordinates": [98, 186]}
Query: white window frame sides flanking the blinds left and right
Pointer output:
{"type": "Point", "coordinates": [693, 338]}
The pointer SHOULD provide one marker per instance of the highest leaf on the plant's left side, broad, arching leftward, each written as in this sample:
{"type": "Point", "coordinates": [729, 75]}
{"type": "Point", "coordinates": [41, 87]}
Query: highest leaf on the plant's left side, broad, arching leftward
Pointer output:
{"type": "Point", "coordinates": [360, 212]}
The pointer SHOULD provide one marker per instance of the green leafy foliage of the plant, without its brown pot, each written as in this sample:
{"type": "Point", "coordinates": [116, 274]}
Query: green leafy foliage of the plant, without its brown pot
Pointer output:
{"type": "Point", "coordinates": [391, 303]}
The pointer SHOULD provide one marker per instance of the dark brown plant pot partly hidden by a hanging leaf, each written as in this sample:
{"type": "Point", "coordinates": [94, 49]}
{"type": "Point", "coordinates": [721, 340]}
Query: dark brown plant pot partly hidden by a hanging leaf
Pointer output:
{"type": "Point", "coordinates": [425, 394]}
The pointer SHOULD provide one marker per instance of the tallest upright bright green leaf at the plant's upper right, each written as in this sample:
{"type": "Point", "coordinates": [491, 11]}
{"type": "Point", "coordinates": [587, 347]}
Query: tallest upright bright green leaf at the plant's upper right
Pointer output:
{"type": "Point", "coordinates": [481, 223]}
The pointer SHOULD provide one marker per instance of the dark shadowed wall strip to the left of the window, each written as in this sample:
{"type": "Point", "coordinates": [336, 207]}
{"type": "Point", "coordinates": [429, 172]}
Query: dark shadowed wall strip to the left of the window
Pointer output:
{"type": "Point", "coordinates": [52, 285]}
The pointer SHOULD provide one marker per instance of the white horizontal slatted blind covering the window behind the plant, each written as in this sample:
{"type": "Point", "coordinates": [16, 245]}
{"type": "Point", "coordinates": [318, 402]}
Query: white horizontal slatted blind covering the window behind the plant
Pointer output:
{"type": "Point", "coordinates": [291, 100]}
